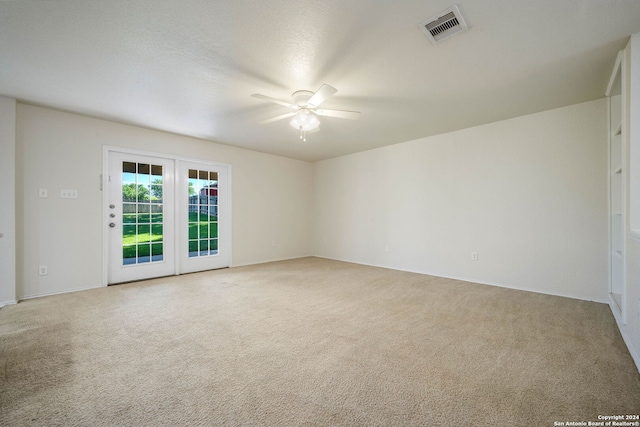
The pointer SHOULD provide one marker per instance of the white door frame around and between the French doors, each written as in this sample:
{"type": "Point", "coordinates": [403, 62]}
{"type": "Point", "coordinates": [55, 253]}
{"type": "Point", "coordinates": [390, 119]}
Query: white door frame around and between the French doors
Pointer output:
{"type": "Point", "coordinates": [106, 149]}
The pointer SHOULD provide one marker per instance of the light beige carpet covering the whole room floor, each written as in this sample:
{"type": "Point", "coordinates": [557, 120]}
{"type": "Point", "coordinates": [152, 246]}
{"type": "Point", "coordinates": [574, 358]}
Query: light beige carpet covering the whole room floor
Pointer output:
{"type": "Point", "coordinates": [311, 342]}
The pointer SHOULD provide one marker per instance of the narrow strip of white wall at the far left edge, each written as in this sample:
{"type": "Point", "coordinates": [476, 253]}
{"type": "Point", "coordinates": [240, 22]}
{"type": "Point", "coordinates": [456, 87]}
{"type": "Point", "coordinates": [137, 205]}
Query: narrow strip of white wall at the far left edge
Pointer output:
{"type": "Point", "coordinates": [8, 200]}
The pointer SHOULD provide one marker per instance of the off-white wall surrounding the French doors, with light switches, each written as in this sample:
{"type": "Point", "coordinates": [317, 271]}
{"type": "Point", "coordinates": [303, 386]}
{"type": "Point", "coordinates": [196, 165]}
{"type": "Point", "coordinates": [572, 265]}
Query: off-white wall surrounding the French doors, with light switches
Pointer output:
{"type": "Point", "coordinates": [271, 195]}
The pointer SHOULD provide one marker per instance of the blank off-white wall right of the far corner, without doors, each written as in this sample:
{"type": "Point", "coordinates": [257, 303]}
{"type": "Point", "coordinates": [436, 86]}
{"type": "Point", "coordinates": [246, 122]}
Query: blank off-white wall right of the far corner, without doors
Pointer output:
{"type": "Point", "coordinates": [529, 195]}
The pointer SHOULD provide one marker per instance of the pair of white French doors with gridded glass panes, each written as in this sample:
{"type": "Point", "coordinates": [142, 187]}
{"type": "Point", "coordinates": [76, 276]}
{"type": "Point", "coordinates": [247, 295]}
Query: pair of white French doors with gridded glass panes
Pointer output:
{"type": "Point", "coordinates": [164, 216]}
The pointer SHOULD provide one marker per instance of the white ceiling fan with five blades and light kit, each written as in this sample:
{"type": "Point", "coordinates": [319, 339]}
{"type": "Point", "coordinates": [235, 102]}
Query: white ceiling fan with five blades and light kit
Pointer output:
{"type": "Point", "coordinates": [306, 103]}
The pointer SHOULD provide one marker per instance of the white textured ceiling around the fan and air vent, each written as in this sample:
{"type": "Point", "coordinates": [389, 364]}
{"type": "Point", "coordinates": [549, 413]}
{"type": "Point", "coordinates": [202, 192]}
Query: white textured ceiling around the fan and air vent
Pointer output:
{"type": "Point", "coordinates": [190, 66]}
